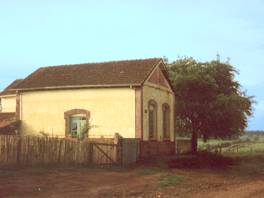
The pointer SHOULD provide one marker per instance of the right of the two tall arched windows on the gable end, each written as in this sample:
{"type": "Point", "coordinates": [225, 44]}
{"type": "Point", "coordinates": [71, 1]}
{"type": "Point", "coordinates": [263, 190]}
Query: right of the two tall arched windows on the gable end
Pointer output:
{"type": "Point", "coordinates": [166, 121]}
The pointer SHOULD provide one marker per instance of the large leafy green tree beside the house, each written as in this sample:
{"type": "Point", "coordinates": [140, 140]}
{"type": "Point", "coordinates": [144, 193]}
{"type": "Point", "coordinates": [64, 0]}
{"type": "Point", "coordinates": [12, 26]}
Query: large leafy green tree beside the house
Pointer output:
{"type": "Point", "coordinates": [209, 101]}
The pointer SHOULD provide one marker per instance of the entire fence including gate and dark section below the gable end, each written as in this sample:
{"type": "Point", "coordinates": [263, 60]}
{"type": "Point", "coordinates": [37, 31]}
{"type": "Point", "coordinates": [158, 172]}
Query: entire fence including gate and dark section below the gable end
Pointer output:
{"type": "Point", "coordinates": [32, 150]}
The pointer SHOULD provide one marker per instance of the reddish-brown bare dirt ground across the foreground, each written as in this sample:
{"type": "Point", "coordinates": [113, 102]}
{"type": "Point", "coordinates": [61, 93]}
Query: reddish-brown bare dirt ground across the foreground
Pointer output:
{"type": "Point", "coordinates": [245, 180]}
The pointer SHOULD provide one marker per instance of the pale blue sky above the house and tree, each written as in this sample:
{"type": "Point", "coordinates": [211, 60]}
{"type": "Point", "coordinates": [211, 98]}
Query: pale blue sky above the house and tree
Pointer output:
{"type": "Point", "coordinates": [35, 33]}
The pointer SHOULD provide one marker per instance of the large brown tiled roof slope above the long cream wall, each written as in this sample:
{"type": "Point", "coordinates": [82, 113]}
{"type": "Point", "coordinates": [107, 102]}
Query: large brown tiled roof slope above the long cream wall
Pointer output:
{"type": "Point", "coordinates": [115, 73]}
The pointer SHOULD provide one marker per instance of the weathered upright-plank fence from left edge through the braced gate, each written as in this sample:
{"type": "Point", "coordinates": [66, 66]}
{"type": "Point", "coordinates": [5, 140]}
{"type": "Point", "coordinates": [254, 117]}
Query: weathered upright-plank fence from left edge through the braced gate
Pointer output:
{"type": "Point", "coordinates": [28, 150]}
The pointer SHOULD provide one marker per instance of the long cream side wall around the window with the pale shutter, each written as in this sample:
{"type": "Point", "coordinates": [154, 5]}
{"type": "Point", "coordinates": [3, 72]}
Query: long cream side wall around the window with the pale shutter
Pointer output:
{"type": "Point", "coordinates": [112, 110]}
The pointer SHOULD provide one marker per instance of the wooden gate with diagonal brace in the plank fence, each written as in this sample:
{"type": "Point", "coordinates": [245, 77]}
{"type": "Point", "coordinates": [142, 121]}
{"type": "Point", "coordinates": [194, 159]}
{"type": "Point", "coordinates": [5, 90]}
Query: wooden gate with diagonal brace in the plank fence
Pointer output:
{"type": "Point", "coordinates": [105, 153]}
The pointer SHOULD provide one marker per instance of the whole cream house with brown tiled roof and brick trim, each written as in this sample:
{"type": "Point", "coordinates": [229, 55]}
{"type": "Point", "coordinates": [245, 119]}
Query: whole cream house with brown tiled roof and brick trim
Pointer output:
{"type": "Point", "coordinates": [133, 98]}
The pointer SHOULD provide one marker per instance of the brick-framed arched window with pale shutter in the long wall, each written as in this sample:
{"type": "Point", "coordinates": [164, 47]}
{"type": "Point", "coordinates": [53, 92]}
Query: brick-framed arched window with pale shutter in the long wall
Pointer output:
{"type": "Point", "coordinates": [76, 122]}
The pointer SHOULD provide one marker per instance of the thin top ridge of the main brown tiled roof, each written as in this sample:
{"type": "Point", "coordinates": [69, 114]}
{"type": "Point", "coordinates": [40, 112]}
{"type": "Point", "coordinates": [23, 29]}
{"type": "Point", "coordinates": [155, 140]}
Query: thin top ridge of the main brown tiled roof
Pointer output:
{"type": "Point", "coordinates": [103, 62]}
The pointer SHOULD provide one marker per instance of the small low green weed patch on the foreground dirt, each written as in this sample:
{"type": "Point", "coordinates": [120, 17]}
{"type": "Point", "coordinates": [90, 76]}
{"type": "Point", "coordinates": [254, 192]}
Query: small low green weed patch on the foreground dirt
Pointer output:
{"type": "Point", "coordinates": [171, 180]}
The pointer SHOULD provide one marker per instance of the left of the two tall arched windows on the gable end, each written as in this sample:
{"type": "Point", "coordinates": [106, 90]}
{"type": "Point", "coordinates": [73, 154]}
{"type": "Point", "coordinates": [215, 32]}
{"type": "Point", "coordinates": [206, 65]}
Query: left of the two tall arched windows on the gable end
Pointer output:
{"type": "Point", "coordinates": [152, 114]}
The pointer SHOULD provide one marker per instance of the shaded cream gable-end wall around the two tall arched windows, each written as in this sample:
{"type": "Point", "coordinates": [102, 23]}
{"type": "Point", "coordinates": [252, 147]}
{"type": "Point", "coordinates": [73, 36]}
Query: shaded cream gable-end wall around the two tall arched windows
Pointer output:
{"type": "Point", "coordinates": [161, 95]}
